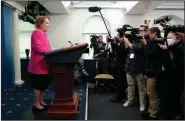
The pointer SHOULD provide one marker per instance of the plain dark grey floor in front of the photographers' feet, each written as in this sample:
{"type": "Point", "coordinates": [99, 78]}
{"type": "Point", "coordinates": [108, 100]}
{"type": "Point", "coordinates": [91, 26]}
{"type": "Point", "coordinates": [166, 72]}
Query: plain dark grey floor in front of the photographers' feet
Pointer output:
{"type": "Point", "coordinates": [100, 108]}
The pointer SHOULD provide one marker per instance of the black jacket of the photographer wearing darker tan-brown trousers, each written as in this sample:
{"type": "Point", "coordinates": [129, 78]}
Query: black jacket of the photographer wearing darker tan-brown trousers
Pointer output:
{"type": "Point", "coordinates": [154, 60]}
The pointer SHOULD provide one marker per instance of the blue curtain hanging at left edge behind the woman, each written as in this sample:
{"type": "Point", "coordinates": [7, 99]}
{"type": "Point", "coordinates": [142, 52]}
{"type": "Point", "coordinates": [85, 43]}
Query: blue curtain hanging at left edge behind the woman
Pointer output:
{"type": "Point", "coordinates": [7, 54]}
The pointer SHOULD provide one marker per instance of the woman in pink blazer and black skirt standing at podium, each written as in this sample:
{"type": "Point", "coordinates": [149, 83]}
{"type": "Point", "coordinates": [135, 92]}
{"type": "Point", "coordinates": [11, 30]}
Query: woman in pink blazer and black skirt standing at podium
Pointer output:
{"type": "Point", "coordinates": [37, 65]}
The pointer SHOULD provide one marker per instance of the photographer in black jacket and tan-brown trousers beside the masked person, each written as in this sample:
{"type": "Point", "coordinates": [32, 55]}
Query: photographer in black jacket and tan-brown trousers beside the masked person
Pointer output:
{"type": "Point", "coordinates": [153, 55]}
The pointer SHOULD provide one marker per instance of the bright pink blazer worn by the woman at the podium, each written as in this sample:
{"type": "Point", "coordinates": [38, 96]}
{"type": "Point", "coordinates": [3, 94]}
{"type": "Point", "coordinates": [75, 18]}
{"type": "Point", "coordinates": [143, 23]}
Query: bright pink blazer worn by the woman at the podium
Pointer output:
{"type": "Point", "coordinates": [39, 45]}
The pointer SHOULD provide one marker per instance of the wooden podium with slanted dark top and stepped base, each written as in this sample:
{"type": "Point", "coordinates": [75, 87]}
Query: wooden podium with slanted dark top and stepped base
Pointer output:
{"type": "Point", "coordinates": [62, 65]}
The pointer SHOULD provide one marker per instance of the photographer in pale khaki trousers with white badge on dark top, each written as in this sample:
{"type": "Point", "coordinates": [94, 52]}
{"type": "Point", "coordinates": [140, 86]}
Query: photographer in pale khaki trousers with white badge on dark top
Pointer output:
{"type": "Point", "coordinates": [134, 68]}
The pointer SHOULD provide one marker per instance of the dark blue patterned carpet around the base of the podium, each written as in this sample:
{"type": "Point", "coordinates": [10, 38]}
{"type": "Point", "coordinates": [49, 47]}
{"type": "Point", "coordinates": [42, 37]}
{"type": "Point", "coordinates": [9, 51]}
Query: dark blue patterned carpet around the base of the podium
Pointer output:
{"type": "Point", "coordinates": [17, 103]}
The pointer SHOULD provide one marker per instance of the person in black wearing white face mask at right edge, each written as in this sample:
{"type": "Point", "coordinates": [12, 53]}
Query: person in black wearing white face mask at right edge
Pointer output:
{"type": "Point", "coordinates": [174, 76]}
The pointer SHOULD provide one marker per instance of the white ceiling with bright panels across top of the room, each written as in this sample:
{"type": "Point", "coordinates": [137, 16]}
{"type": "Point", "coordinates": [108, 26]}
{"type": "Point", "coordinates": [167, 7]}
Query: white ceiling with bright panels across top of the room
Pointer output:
{"type": "Point", "coordinates": [132, 7]}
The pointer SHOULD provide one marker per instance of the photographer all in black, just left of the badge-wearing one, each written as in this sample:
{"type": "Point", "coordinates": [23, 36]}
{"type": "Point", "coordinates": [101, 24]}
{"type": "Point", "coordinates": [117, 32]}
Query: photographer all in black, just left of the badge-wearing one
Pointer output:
{"type": "Point", "coordinates": [121, 51]}
